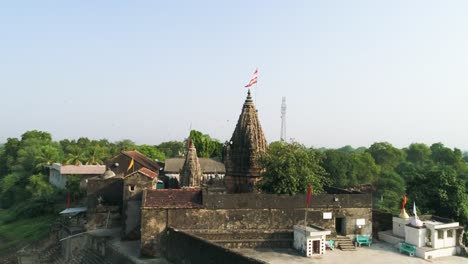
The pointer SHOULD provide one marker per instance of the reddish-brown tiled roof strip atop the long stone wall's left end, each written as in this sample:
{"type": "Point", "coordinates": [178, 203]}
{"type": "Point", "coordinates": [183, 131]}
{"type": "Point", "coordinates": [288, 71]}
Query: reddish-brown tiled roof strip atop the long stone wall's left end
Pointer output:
{"type": "Point", "coordinates": [173, 198]}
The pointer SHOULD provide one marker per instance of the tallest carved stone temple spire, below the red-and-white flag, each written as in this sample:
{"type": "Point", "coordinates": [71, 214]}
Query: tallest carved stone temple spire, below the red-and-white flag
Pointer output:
{"type": "Point", "coordinates": [244, 149]}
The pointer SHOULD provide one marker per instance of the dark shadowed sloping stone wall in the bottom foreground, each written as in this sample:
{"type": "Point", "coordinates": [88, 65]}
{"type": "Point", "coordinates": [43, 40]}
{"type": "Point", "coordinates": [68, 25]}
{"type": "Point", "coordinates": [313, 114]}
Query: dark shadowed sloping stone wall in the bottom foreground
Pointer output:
{"type": "Point", "coordinates": [186, 248]}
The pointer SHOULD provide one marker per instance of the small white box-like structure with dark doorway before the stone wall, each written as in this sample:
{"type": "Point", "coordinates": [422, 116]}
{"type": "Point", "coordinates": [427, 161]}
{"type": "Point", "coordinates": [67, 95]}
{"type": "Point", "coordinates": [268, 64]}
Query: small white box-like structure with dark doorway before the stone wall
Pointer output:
{"type": "Point", "coordinates": [310, 240]}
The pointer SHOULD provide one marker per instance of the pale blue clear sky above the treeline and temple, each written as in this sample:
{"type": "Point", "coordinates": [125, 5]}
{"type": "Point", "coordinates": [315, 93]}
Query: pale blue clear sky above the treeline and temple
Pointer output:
{"type": "Point", "coordinates": [352, 72]}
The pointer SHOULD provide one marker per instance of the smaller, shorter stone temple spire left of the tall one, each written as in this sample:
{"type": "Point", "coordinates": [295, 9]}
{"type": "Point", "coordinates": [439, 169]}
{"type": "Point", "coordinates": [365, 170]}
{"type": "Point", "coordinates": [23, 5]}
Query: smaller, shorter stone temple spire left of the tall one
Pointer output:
{"type": "Point", "coordinates": [191, 173]}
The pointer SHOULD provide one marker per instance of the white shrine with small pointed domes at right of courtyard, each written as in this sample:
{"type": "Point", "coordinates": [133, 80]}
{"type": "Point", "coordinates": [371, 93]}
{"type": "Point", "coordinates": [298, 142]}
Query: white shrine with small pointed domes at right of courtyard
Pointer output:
{"type": "Point", "coordinates": [433, 236]}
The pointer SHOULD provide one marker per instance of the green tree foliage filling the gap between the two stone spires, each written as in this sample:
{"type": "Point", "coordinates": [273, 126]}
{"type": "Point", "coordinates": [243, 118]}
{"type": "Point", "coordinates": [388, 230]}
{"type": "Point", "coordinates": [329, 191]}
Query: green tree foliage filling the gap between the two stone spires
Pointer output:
{"type": "Point", "coordinates": [206, 146]}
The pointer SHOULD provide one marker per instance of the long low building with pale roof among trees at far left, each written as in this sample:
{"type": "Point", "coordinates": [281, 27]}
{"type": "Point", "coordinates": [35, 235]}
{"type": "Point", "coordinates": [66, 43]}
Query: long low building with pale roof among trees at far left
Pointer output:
{"type": "Point", "coordinates": [59, 174]}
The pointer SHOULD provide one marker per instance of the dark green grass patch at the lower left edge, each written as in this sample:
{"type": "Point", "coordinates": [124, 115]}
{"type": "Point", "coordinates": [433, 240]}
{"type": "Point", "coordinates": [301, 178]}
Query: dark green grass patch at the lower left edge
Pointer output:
{"type": "Point", "coordinates": [22, 231]}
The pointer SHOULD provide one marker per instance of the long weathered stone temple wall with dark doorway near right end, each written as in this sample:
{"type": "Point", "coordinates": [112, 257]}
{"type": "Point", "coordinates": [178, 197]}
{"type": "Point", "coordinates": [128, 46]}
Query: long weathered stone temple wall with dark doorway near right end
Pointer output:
{"type": "Point", "coordinates": [346, 214]}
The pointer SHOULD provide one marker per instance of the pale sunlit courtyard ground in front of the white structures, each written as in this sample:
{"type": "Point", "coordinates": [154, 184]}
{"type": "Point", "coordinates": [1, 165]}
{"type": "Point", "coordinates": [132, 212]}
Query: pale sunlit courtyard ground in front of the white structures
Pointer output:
{"type": "Point", "coordinates": [379, 252]}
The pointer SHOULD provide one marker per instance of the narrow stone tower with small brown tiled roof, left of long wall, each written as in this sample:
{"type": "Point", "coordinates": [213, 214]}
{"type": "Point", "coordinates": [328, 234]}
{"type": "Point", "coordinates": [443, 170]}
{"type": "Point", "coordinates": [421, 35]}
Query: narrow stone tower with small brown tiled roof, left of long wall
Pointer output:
{"type": "Point", "coordinates": [133, 186]}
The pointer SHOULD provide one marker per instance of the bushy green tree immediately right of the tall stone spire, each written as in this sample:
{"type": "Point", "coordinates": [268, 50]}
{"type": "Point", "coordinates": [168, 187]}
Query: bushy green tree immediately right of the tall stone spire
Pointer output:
{"type": "Point", "coordinates": [290, 168]}
